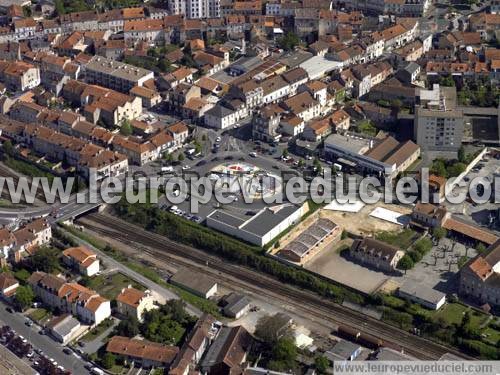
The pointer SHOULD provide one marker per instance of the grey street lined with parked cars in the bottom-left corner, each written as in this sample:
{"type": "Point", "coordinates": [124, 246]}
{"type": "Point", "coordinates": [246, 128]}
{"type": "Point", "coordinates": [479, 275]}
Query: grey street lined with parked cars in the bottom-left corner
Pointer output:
{"type": "Point", "coordinates": [50, 347]}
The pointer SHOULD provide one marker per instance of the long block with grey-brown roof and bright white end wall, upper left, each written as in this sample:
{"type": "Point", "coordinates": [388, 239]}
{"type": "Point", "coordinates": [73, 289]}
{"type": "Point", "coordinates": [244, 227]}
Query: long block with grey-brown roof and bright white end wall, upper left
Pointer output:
{"type": "Point", "coordinates": [115, 75]}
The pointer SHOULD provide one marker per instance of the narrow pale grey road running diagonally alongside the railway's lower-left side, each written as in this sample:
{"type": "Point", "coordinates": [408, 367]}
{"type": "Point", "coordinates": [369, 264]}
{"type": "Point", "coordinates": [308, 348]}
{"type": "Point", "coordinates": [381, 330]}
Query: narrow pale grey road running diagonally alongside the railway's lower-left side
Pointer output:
{"type": "Point", "coordinates": [111, 263]}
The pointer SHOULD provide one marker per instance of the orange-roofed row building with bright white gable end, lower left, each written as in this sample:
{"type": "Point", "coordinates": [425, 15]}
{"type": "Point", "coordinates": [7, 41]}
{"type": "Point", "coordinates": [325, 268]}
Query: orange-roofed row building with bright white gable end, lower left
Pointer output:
{"type": "Point", "coordinates": [73, 298]}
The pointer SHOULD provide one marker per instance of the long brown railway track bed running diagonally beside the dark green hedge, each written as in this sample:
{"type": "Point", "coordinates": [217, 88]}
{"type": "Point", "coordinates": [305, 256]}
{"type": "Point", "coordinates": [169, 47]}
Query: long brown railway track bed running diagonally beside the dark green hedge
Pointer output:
{"type": "Point", "coordinates": [165, 249]}
